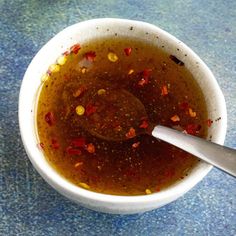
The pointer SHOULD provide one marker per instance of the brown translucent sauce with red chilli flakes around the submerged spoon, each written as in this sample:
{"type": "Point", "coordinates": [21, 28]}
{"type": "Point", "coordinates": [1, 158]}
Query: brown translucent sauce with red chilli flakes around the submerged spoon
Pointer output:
{"type": "Point", "coordinates": [138, 165]}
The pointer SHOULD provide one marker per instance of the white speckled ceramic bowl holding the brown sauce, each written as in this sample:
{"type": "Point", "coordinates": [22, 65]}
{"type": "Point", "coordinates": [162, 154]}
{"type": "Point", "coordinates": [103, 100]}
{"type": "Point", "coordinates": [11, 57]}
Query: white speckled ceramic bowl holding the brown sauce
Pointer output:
{"type": "Point", "coordinates": [80, 33]}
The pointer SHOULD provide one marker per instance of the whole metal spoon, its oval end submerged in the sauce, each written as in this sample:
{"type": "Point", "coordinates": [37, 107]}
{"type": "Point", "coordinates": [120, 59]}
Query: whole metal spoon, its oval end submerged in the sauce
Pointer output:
{"type": "Point", "coordinates": [118, 110]}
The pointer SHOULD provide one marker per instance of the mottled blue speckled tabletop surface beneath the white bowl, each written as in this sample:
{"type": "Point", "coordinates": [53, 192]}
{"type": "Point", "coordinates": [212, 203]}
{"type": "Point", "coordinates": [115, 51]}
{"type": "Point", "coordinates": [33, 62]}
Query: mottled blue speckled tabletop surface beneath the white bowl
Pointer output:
{"type": "Point", "coordinates": [28, 206]}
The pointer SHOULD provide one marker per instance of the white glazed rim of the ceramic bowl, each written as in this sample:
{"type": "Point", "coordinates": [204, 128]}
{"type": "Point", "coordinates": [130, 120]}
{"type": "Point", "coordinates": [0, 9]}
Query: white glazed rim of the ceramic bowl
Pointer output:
{"type": "Point", "coordinates": [63, 185]}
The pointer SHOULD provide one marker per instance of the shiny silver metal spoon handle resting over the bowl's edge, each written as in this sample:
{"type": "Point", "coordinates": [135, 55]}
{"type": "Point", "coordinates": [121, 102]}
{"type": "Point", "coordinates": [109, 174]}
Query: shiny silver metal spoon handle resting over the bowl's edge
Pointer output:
{"type": "Point", "coordinates": [220, 156]}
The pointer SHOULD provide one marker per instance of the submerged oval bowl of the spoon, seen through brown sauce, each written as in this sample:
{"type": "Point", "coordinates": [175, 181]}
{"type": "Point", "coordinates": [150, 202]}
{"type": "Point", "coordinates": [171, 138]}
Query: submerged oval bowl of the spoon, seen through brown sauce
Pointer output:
{"type": "Point", "coordinates": [117, 111]}
